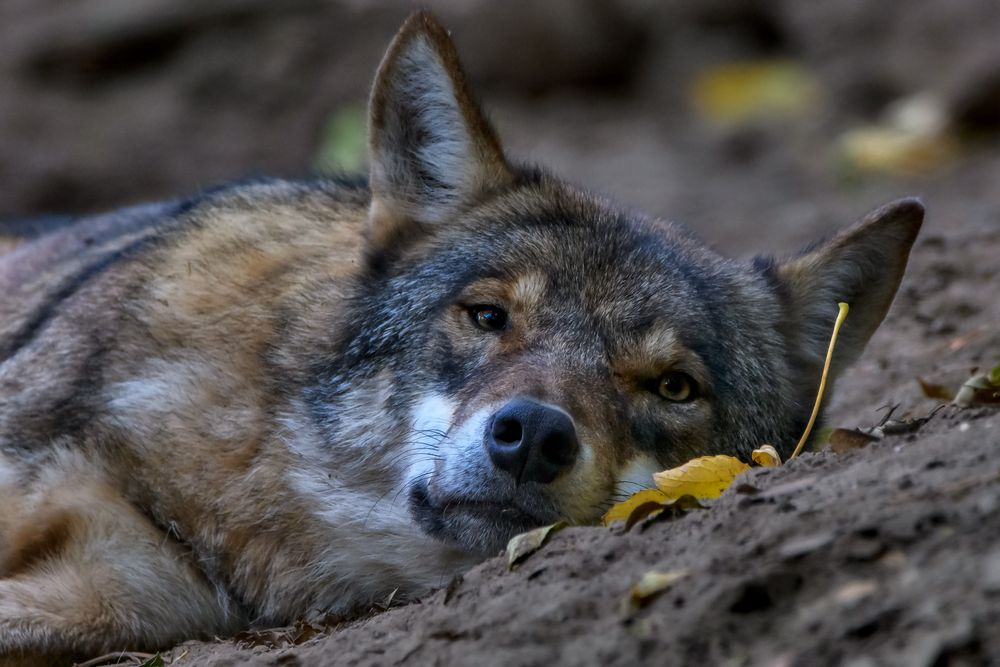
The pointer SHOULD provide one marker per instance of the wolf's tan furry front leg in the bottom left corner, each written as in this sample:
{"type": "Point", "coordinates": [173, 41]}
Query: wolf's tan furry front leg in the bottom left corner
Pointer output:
{"type": "Point", "coordinates": [84, 573]}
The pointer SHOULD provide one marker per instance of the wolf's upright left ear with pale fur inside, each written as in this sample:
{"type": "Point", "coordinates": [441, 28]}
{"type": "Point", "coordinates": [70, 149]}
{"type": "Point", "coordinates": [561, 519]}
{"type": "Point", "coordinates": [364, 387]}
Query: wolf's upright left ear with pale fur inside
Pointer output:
{"type": "Point", "coordinates": [432, 151]}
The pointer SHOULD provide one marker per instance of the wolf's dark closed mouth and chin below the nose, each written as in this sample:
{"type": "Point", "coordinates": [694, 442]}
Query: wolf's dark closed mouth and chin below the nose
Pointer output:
{"type": "Point", "coordinates": [474, 524]}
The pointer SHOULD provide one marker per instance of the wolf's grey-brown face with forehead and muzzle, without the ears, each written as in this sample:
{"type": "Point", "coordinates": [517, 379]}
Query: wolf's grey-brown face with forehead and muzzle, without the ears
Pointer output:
{"type": "Point", "coordinates": [561, 350]}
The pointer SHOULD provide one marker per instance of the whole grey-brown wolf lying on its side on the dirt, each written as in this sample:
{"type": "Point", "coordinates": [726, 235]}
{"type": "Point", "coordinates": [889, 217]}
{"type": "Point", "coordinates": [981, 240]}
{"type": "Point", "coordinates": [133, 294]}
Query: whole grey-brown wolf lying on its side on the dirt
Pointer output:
{"type": "Point", "coordinates": [283, 399]}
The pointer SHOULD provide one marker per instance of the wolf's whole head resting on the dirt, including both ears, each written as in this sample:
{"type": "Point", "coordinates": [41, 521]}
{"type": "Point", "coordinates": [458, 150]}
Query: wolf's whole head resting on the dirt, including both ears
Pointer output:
{"type": "Point", "coordinates": [529, 352]}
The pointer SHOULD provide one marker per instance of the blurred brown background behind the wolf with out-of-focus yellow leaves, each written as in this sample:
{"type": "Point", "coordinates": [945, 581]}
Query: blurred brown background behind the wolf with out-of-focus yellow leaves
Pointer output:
{"type": "Point", "coordinates": [758, 123]}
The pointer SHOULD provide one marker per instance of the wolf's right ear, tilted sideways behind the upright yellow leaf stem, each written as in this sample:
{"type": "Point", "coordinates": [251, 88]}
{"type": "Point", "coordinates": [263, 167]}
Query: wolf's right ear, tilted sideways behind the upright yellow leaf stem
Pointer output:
{"type": "Point", "coordinates": [861, 266]}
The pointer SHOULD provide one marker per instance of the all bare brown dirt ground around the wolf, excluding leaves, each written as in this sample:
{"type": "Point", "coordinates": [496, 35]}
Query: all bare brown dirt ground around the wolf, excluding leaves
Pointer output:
{"type": "Point", "coordinates": [888, 555]}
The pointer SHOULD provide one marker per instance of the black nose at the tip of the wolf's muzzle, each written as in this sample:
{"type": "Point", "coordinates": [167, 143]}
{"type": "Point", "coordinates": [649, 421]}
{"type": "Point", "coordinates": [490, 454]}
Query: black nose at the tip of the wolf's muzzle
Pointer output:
{"type": "Point", "coordinates": [531, 441]}
